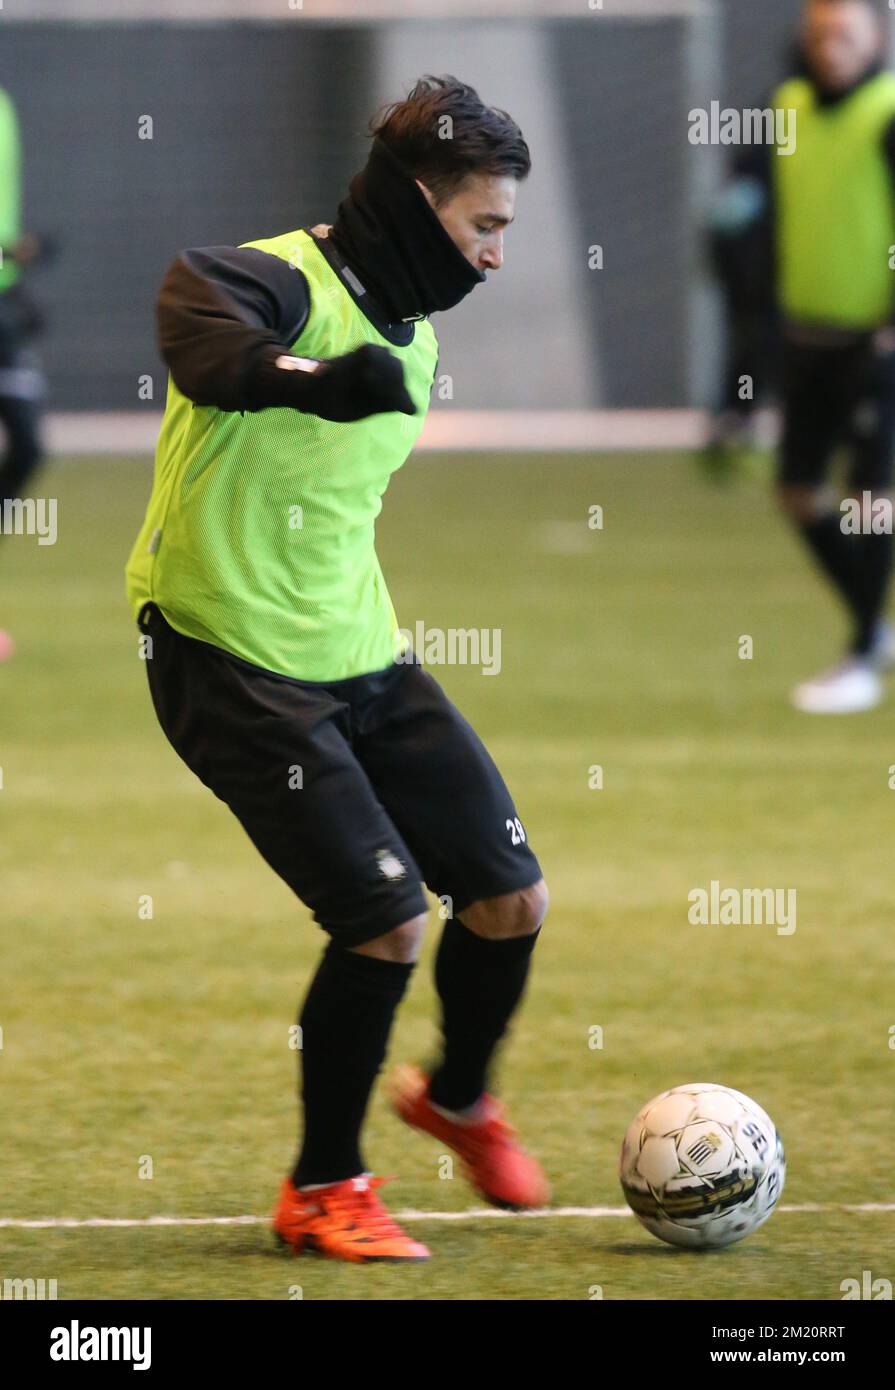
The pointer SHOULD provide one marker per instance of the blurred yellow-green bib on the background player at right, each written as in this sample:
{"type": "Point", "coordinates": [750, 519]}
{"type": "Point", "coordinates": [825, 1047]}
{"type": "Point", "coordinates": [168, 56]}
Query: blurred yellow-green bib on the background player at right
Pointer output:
{"type": "Point", "coordinates": [836, 215]}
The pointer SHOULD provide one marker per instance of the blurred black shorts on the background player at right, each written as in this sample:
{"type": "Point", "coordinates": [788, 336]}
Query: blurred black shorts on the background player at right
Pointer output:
{"type": "Point", "coordinates": [833, 397]}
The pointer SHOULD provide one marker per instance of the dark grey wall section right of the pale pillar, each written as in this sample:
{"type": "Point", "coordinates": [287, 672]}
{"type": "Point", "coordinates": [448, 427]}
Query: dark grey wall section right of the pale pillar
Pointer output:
{"type": "Point", "coordinates": [625, 105]}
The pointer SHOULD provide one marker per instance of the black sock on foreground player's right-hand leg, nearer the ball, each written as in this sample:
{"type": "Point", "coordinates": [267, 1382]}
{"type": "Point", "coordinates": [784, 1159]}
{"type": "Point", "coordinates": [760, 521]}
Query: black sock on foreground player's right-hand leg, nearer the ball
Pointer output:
{"type": "Point", "coordinates": [480, 983]}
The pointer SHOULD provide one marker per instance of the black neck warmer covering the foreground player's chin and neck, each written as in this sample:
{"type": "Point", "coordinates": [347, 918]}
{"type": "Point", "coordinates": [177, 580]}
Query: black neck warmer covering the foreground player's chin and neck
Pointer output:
{"type": "Point", "coordinates": [395, 244]}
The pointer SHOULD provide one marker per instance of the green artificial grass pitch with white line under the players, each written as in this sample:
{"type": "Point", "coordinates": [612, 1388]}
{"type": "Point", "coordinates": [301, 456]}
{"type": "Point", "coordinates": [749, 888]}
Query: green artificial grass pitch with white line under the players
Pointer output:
{"type": "Point", "coordinates": [167, 1039]}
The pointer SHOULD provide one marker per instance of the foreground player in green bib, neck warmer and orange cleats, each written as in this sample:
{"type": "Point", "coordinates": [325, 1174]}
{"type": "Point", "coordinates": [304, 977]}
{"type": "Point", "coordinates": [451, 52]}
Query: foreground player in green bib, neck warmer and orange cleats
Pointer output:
{"type": "Point", "coordinates": [301, 376]}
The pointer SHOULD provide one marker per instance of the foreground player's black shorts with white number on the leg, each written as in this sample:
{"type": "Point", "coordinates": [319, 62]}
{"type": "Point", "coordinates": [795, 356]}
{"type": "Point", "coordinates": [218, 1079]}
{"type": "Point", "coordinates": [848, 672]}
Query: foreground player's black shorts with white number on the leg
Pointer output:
{"type": "Point", "coordinates": [355, 792]}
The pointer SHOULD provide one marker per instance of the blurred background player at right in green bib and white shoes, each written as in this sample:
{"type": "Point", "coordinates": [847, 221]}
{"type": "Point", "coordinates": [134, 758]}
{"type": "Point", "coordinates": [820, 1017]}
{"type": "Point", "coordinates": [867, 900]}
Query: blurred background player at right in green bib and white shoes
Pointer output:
{"type": "Point", "coordinates": [835, 231]}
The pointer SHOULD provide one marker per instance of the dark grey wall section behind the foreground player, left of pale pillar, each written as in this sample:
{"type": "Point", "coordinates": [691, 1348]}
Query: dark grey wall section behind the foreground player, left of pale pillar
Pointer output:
{"type": "Point", "coordinates": [247, 122]}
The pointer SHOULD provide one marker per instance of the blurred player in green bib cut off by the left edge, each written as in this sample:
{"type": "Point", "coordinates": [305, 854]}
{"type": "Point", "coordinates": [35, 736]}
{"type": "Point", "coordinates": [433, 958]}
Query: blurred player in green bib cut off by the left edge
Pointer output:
{"type": "Point", "coordinates": [22, 384]}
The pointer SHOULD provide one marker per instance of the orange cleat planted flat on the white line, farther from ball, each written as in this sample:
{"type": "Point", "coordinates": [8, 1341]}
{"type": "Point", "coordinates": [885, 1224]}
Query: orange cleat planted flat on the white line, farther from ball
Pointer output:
{"type": "Point", "coordinates": [344, 1221]}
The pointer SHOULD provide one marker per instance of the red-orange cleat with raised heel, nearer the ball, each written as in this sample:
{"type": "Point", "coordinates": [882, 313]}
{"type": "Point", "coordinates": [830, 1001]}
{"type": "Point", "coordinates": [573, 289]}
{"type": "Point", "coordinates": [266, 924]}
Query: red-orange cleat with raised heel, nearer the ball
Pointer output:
{"type": "Point", "coordinates": [495, 1163]}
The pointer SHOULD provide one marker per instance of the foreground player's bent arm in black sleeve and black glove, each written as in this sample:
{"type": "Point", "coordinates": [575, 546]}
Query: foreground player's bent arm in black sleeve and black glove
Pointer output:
{"type": "Point", "coordinates": [227, 322]}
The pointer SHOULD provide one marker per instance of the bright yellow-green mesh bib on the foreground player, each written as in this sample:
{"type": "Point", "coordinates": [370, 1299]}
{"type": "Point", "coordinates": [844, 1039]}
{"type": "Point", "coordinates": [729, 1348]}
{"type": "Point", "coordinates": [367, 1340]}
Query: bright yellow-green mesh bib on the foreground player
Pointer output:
{"type": "Point", "coordinates": [261, 530]}
